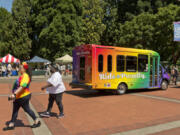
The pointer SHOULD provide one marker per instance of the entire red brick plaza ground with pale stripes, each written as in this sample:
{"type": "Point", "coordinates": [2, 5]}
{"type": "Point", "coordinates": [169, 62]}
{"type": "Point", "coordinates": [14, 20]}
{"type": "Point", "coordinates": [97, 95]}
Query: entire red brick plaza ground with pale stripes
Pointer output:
{"type": "Point", "coordinates": [88, 112]}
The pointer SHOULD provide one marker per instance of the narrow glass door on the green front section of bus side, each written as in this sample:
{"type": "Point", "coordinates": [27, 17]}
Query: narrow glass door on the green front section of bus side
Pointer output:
{"type": "Point", "coordinates": [153, 71]}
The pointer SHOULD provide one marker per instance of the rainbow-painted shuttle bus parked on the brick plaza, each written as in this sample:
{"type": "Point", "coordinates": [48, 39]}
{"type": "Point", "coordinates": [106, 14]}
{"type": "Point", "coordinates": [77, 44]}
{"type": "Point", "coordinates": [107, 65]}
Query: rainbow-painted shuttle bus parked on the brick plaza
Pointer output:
{"type": "Point", "coordinates": [115, 68]}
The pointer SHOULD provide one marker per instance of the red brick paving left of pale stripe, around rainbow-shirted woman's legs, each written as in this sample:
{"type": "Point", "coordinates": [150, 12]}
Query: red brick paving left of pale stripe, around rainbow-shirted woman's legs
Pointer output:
{"type": "Point", "coordinates": [6, 111]}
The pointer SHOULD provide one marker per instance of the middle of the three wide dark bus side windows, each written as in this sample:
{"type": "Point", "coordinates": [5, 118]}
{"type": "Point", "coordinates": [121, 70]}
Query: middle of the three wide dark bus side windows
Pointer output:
{"type": "Point", "coordinates": [131, 63]}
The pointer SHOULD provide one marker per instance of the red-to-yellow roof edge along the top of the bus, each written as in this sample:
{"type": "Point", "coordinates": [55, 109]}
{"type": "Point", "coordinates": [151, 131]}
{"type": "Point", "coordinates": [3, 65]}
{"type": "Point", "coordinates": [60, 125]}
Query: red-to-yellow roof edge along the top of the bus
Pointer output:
{"type": "Point", "coordinates": [121, 49]}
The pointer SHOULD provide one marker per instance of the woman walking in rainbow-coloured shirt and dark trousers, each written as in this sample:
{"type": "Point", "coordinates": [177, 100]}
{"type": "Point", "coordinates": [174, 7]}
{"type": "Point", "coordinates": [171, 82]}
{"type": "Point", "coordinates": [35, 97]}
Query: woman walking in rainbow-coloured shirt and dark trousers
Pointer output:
{"type": "Point", "coordinates": [21, 96]}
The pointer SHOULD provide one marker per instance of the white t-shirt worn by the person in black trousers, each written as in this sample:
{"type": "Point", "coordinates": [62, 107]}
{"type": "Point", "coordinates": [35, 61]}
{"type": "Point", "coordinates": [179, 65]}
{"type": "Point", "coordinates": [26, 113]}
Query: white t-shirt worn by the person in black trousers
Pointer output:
{"type": "Point", "coordinates": [56, 81]}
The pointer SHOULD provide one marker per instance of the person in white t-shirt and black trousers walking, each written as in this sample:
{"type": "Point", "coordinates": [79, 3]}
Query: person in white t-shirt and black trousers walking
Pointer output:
{"type": "Point", "coordinates": [55, 87]}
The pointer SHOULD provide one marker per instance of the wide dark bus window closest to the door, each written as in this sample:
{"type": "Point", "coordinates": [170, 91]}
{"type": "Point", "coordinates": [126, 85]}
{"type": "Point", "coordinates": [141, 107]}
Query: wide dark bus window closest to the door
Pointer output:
{"type": "Point", "coordinates": [142, 63]}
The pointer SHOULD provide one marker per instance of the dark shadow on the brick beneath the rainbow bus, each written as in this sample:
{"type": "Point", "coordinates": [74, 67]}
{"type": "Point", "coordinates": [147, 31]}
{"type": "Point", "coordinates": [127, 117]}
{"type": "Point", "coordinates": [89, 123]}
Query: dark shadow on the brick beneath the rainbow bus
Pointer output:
{"type": "Point", "coordinates": [101, 93]}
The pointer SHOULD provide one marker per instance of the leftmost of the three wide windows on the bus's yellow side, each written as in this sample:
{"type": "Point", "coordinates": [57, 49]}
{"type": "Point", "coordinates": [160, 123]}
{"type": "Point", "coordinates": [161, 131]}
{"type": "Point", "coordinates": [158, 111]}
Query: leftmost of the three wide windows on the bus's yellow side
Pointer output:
{"type": "Point", "coordinates": [120, 63]}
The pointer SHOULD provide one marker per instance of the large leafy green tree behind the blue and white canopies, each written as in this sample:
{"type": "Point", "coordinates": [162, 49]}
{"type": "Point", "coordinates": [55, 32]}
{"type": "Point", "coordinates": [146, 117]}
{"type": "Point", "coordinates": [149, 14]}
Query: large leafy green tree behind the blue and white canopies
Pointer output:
{"type": "Point", "coordinates": [56, 27]}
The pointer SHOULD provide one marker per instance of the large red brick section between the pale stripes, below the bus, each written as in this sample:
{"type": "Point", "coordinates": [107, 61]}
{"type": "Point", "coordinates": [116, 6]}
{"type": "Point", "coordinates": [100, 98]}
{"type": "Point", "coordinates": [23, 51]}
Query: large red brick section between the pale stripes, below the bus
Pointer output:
{"type": "Point", "coordinates": [89, 112]}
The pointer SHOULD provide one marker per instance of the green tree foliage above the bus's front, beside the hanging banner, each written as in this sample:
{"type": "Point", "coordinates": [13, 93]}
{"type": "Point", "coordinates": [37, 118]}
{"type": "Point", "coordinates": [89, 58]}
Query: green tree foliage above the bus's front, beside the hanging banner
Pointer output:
{"type": "Point", "coordinates": [151, 31]}
